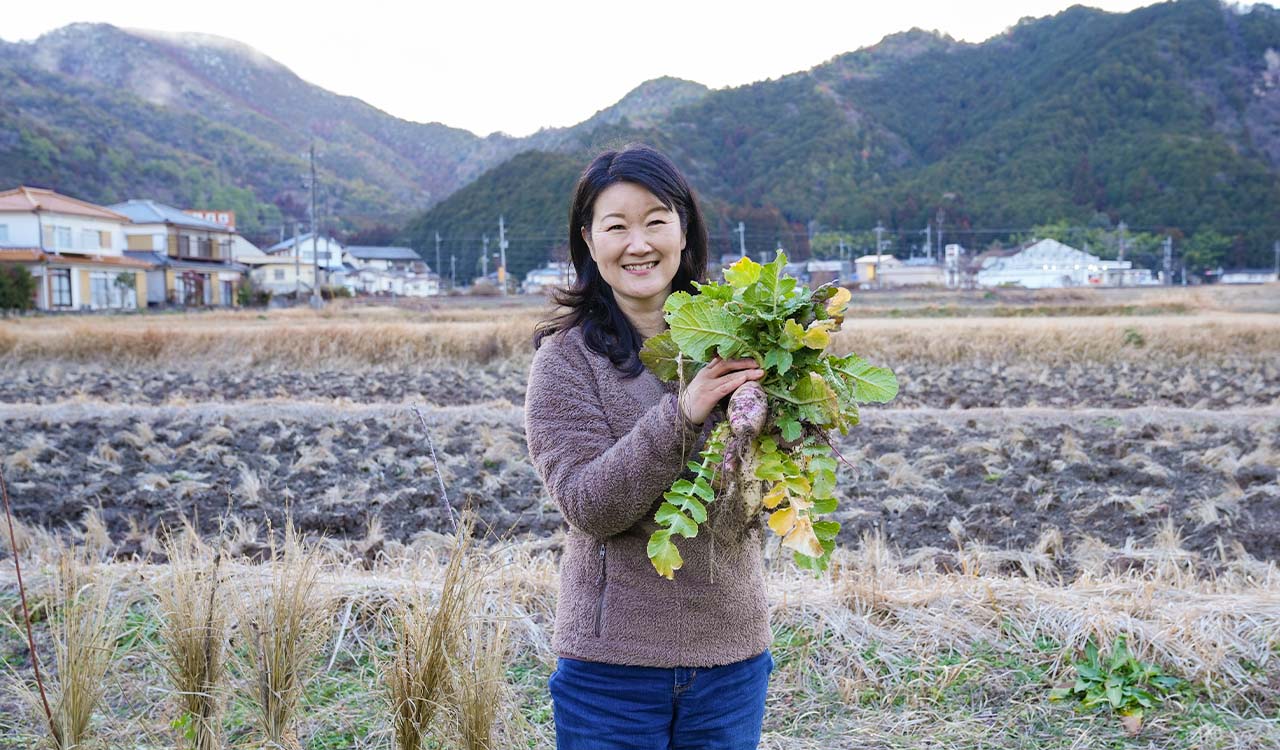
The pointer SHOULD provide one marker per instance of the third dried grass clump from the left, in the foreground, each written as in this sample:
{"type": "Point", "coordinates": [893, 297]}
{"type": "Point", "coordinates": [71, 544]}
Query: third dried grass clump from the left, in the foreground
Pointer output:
{"type": "Point", "coordinates": [282, 628]}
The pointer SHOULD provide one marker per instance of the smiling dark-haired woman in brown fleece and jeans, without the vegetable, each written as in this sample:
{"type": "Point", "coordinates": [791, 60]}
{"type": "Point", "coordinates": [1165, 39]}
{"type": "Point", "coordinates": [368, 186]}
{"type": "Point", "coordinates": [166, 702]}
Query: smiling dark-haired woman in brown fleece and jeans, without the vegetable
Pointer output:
{"type": "Point", "coordinates": [644, 662]}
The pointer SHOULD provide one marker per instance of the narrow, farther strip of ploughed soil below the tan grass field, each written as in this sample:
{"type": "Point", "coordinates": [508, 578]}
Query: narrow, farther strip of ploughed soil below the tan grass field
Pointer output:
{"type": "Point", "coordinates": [1229, 385]}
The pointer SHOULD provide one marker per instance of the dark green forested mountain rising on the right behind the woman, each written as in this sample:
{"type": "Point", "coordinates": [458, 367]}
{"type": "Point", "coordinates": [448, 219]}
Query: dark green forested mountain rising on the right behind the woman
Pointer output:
{"type": "Point", "coordinates": [1167, 118]}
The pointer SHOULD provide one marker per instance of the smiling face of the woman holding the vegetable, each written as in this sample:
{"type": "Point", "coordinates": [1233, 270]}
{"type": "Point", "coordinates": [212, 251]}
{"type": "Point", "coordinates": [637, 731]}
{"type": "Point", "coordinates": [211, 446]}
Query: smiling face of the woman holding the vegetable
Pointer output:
{"type": "Point", "coordinates": [637, 243]}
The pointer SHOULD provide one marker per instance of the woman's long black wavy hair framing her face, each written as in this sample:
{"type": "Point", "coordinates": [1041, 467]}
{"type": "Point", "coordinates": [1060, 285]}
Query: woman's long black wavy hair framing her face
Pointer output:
{"type": "Point", "coordinates": [589, 303]}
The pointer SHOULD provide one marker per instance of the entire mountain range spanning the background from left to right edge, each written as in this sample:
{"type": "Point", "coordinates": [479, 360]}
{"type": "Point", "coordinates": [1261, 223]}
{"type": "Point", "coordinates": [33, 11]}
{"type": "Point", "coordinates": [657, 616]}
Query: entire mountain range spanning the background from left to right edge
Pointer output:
{"type": "Point", "coordinates": [1167, 118]}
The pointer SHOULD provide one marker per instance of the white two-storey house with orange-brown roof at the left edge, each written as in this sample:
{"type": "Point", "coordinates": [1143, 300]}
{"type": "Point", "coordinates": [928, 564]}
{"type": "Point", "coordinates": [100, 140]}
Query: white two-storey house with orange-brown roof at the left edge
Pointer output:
{"type": "Point", "coordinates": [74, 249]}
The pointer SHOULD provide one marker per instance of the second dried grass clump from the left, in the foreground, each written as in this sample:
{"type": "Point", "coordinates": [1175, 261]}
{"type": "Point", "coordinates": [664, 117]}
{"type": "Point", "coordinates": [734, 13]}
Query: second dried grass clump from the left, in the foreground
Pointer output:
{"type": "Point", "coordinates": [194, 629]}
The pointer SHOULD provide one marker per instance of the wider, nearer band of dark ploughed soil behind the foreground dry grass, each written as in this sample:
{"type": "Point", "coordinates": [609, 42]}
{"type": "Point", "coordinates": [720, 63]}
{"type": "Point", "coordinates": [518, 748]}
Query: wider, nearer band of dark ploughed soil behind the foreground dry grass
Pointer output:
{"type": "Point", "coordinates": [931, 479]}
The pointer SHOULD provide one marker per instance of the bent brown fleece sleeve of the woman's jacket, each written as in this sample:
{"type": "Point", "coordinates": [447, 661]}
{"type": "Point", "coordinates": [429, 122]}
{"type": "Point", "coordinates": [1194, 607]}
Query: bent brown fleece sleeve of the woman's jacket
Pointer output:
{"type": "Point", "coordinates": [602, 486]}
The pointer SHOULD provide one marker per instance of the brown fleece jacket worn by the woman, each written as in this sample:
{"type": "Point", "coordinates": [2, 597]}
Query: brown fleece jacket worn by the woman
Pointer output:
{"type": "Point", "coordinates": [607, 449]}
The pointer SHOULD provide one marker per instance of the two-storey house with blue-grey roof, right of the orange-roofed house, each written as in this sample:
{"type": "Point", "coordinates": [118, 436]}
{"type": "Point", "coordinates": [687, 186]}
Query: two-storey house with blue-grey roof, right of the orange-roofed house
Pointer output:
{"type": "Point", "coordinates": [191, 258]}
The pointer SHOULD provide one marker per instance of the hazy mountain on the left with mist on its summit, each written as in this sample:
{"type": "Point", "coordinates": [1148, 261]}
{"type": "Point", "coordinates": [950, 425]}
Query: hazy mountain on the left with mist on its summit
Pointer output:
{"type": "Point", "coordinates": [107, 115]}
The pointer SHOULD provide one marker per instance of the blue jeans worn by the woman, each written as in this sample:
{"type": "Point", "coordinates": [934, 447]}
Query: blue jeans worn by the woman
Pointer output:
{"type": "Point", "coordinates": [610, 707]}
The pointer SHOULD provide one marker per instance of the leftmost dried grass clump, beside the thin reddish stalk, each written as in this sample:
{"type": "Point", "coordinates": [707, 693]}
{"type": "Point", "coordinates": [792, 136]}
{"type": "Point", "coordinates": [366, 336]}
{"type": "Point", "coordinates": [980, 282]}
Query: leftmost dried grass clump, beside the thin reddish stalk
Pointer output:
{"type": "Point", "coordinates": [84, 629]}
